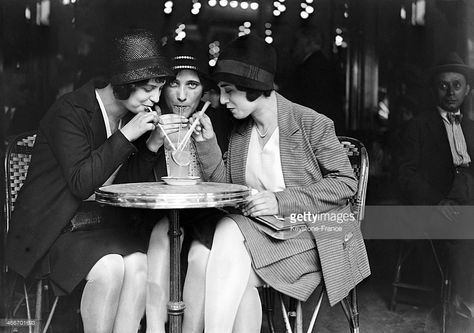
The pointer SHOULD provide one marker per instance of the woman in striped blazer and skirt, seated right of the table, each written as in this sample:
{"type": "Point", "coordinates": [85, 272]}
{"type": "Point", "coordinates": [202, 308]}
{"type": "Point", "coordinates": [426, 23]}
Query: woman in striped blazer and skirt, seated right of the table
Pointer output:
{"type": "Point", "coordinates": [292, 158]}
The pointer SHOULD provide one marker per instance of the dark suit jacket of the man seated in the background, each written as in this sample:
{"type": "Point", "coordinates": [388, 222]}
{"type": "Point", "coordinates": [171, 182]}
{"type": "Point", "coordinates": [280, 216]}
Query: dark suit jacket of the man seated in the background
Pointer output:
{"type": "Point", "coordinates": [426, 169]}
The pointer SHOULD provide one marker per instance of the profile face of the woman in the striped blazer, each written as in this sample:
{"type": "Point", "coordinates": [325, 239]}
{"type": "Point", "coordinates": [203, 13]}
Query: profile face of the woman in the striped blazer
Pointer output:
{"type": "Point", "coordinates": [235, 100]}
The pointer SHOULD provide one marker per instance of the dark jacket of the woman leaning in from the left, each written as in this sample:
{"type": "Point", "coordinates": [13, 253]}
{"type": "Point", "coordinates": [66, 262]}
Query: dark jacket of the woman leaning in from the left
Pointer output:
{"type": "Point", "coordinates": [71, 158]}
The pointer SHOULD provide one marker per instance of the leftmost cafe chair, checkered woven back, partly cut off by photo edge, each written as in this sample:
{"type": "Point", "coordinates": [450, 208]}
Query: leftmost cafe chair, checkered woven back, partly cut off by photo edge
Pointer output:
{"type": "Point", "coordinates": [17, 159]}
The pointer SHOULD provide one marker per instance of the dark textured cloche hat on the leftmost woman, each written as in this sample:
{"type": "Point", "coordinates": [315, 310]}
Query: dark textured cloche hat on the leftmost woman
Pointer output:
{"type": "Point", "coordinates": [135, 56]}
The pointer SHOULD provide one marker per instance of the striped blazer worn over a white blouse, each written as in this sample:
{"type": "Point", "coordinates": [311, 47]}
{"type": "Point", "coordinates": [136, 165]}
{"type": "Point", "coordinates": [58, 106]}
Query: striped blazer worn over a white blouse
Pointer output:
{"type": "Point", "coordinates": [318, 179]}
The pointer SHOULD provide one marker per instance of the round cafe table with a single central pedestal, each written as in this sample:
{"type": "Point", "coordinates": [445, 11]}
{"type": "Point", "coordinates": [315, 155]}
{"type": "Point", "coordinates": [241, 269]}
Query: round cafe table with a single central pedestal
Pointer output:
{"type": "Point", "coordinates": [162, 196]}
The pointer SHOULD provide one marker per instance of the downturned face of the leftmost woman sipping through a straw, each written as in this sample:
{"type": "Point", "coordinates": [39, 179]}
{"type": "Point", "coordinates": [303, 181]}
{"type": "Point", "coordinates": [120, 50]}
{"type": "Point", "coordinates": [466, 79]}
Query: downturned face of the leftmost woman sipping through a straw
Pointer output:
{"type": "Point", "coordinates": [145, 96]}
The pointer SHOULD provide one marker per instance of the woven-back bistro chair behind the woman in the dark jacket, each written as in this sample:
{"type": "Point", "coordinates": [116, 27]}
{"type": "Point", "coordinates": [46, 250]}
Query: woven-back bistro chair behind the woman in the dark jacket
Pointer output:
{"type": "Point", "coordinates": [17, 160]}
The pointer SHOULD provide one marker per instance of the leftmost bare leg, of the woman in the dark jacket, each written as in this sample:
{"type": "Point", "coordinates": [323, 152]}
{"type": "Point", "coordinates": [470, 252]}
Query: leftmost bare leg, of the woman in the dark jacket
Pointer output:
{"type": "Point", "coordinates": [101, 294]}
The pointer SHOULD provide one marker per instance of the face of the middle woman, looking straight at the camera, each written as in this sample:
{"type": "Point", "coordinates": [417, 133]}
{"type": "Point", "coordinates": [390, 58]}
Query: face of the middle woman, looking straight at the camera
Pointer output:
{"type": "Point", "coordinates": [182, 95]}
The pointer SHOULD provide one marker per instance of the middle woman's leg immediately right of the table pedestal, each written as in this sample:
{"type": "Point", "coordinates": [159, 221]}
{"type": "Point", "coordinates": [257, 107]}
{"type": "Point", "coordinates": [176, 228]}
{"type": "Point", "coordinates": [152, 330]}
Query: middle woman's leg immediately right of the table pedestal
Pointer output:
{"type": "Point", "coordinates": [194, 288]}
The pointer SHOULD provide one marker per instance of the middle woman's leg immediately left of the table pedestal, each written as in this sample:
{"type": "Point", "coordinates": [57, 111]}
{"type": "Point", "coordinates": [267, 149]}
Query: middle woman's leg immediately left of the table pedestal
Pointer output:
{"type": "Point", "coordinates": [158, 278]}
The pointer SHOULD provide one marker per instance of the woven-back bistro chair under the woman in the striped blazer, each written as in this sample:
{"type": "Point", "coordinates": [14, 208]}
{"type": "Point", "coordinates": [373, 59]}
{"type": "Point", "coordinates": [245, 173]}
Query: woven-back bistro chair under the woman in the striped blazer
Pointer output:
{"type": "Point", "coordinates": [293, 317]}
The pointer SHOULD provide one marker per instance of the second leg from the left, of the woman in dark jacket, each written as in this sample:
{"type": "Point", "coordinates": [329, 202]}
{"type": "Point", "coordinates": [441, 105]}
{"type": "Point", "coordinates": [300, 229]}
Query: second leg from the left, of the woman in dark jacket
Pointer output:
{"type": "Point", "coordinates": [132, 298]}
